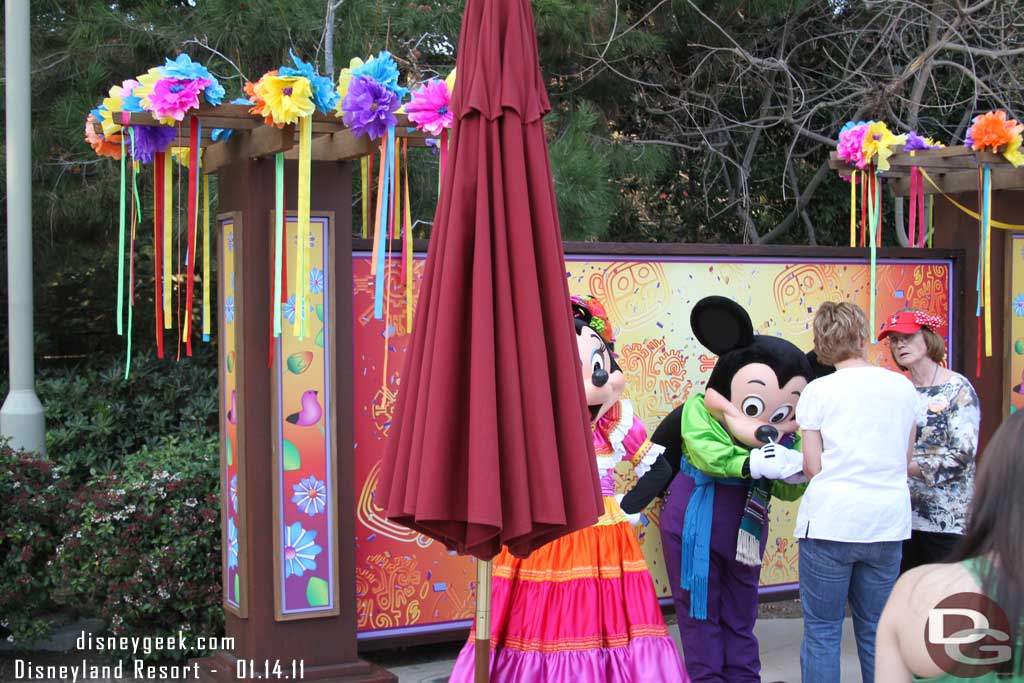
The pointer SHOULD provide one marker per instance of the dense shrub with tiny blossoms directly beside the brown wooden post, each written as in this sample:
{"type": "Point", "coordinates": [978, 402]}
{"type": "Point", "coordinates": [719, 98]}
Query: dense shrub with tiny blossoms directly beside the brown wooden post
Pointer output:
{"type": "Point", "coordinates": [142, 548]}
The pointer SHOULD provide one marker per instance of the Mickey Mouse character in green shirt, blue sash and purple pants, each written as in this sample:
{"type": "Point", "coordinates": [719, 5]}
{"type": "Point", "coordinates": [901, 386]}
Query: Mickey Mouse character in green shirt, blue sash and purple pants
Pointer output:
{"type": "Point", "coordinates": [727, 453]}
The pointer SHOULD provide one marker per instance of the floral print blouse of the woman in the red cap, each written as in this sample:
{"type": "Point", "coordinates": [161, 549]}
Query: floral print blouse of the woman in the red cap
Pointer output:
{"type": "Point", "coordinates": [949, 419]}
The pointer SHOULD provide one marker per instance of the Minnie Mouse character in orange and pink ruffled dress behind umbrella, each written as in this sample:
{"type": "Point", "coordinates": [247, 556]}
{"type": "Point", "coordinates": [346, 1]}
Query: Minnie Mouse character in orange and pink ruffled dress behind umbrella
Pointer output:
{"type": "Point", "coordinates": [584, 608]}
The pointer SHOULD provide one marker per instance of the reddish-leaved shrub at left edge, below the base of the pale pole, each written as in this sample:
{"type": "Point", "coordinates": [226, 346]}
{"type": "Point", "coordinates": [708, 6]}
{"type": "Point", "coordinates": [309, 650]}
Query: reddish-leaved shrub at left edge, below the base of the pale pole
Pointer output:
{"type": "Point", "coordinates": [34, 495]}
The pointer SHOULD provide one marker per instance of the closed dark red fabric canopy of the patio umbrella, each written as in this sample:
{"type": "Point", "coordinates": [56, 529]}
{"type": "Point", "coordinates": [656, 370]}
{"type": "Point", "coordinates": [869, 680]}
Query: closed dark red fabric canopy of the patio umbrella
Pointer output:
{"type": "Point", "coordinates": [491, 443]}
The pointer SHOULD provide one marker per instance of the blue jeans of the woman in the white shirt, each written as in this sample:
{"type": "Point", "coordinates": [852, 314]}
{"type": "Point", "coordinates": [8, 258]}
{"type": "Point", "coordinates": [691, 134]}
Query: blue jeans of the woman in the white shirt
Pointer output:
{"type": "Point", "coordinates": [831, 572]}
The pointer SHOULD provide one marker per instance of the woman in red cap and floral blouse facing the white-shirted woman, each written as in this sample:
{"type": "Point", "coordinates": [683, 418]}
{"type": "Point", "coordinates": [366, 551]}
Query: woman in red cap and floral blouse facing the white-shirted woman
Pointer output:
{"type": "Point", "coordinates": [949, 417]}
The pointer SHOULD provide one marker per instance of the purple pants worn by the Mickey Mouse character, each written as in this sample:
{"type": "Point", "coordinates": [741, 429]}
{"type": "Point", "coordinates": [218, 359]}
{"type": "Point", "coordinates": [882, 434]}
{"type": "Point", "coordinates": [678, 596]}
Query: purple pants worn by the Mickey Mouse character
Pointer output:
{"type": "Point", "coordinates": [721, 649]}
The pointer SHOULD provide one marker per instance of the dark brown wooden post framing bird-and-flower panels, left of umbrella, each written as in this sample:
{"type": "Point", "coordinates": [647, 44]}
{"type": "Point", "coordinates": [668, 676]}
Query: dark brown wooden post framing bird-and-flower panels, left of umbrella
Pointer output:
{"type": "Point", "coordinates": [266, 641]}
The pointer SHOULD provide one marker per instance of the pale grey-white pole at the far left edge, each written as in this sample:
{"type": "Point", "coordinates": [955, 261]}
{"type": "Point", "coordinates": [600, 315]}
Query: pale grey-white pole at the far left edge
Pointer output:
{"type": "Point", "coordinates": [22, 415]}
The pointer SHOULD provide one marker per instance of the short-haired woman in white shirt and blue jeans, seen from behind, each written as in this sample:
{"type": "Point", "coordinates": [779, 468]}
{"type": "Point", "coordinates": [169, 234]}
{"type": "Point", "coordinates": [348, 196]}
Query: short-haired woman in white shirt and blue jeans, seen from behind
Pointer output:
{"type": "Point", "coordinates": [859, 431]}
